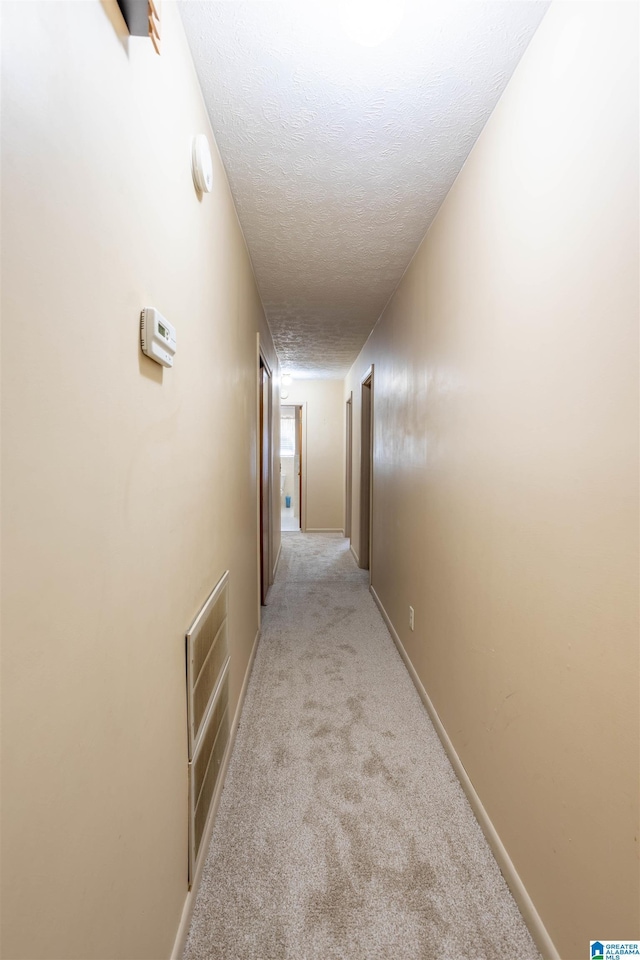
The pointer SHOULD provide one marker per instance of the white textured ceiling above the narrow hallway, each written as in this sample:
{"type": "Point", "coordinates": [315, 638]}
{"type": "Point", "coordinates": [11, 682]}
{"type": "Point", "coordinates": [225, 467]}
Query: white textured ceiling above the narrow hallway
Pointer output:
{"type": "Point", "coordinates": [339, 155]}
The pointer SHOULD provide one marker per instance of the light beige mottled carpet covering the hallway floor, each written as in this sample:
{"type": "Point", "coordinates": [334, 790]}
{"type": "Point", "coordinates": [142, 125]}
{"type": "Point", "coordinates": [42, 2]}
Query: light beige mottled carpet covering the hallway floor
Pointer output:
{"type": "Point", "coordinates": [342, 830]}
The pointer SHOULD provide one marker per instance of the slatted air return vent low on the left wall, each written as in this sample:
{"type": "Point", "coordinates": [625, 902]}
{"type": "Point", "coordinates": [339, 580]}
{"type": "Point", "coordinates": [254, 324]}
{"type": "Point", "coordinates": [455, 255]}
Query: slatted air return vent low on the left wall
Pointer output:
{"type": "Point", "coordinates": [207, 650]}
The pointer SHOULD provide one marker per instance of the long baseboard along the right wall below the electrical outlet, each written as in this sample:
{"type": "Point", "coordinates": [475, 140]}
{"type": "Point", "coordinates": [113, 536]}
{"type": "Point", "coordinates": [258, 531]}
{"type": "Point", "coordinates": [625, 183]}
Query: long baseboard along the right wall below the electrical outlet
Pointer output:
{"type": "Point", "coordinates": [527, 908]}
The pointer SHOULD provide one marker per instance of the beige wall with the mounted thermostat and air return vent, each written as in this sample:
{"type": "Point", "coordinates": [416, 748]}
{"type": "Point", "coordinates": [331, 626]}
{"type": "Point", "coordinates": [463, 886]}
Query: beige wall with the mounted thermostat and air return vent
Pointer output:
{"type": "Point", "coordinates": [127, 491]}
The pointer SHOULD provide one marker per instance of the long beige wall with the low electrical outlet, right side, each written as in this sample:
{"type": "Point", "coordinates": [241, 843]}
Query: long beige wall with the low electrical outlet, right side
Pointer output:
{"type": "Point", "coordinates": [506, 469]}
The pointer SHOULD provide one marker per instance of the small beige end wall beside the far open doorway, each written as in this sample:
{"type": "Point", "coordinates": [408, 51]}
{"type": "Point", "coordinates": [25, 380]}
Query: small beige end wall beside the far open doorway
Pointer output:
{"type": "Point", "coordinates": [323, 451]}
